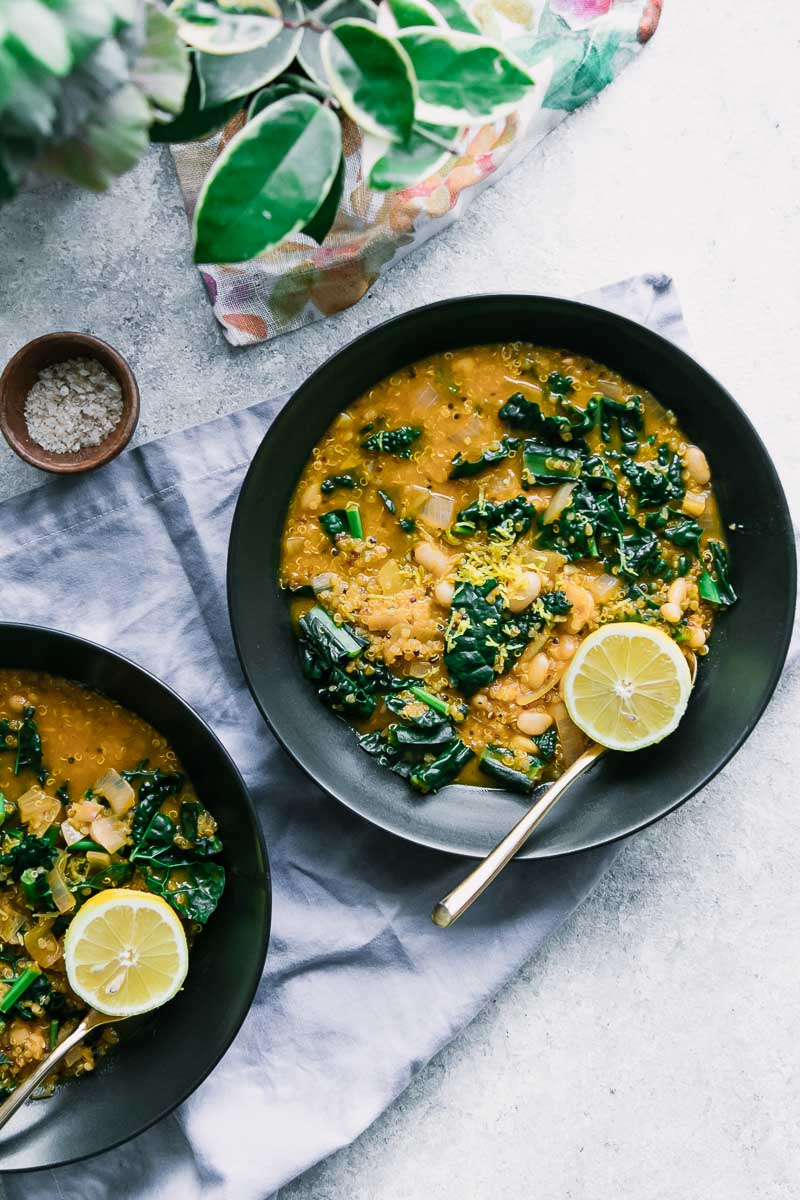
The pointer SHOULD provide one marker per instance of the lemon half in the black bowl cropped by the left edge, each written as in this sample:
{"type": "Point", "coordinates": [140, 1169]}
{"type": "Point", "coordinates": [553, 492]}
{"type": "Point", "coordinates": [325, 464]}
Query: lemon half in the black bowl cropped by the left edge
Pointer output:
{"type": "Point", "coordinates": [125, 952]}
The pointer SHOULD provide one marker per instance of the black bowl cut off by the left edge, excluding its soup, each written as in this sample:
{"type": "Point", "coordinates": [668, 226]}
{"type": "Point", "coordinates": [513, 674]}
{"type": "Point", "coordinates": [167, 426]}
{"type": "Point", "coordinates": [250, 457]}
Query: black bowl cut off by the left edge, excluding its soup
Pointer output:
{"type": "Point", "coordinates": [165, 1057]}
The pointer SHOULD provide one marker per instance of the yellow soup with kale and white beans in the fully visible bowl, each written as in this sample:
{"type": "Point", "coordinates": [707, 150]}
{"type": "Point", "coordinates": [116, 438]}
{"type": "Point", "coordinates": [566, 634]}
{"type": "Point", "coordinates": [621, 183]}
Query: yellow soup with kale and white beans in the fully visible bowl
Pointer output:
{"type": "Point", "coordinates": [464, 525]}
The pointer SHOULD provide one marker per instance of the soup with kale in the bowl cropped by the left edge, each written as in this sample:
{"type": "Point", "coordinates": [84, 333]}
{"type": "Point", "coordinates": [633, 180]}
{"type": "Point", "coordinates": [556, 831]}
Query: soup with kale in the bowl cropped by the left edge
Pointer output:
{"type": "Point", "coordinates": [92, 797]}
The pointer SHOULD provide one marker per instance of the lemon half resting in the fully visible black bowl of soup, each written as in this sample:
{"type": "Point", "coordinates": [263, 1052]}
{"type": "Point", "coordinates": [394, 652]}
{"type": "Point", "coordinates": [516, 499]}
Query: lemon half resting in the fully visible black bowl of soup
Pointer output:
{"type": "Point", "coordinates": [628, 687]}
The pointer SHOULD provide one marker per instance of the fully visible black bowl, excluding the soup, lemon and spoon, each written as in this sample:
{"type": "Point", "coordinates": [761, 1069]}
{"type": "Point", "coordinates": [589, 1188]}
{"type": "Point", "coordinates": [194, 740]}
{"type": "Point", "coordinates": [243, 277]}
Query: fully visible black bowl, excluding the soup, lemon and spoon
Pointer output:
{"type": "Point", "coordinates": [624, 793]}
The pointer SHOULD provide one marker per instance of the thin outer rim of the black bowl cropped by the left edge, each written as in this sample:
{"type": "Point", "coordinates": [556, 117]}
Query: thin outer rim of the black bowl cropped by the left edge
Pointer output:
{"type": "Point", "coordinates": [267, 925]}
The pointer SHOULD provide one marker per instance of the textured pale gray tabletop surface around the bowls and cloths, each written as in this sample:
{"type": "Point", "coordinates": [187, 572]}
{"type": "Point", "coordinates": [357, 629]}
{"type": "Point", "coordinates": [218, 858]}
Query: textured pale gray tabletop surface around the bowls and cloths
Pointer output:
{"type": "Point", "coordinates": [652, 1052]}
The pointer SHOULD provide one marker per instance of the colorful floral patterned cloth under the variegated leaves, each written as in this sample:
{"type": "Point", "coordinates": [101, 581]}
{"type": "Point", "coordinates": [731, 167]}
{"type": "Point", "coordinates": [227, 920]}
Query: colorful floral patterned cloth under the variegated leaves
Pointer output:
{"type": "Point", "coordinates": [574, 47]}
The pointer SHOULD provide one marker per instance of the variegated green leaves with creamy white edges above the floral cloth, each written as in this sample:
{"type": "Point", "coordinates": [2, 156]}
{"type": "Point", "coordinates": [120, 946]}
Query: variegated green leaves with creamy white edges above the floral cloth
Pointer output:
{"type": "Point", "coordinates": [411, 74]}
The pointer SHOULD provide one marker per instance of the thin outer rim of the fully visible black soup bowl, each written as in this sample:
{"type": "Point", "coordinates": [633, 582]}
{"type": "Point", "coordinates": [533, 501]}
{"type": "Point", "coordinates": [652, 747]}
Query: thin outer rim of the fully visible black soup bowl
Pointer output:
{"type": "Point", "coordinates": [635, 329]}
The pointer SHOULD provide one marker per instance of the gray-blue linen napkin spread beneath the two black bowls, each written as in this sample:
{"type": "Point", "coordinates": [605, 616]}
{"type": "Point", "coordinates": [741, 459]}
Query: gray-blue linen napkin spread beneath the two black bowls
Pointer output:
{"type": "Point", "coordinates": [360, 989]}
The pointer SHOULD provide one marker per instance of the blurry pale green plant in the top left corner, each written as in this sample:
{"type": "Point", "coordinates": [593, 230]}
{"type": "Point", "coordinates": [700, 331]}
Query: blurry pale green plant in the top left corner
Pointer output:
{"type": "Point", "coordinates": [82, 82]}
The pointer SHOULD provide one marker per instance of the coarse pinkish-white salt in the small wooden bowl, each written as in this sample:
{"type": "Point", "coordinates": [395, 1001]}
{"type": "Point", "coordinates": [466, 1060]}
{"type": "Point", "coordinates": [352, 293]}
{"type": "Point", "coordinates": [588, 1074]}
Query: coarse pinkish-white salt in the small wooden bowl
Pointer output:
{"type": "Point", "coordinates": [74, 405]}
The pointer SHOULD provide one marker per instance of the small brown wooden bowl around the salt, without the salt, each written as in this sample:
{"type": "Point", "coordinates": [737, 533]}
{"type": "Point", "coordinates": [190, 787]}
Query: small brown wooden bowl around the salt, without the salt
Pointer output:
{"type": "Point", "coordinates": [117, 441]}
